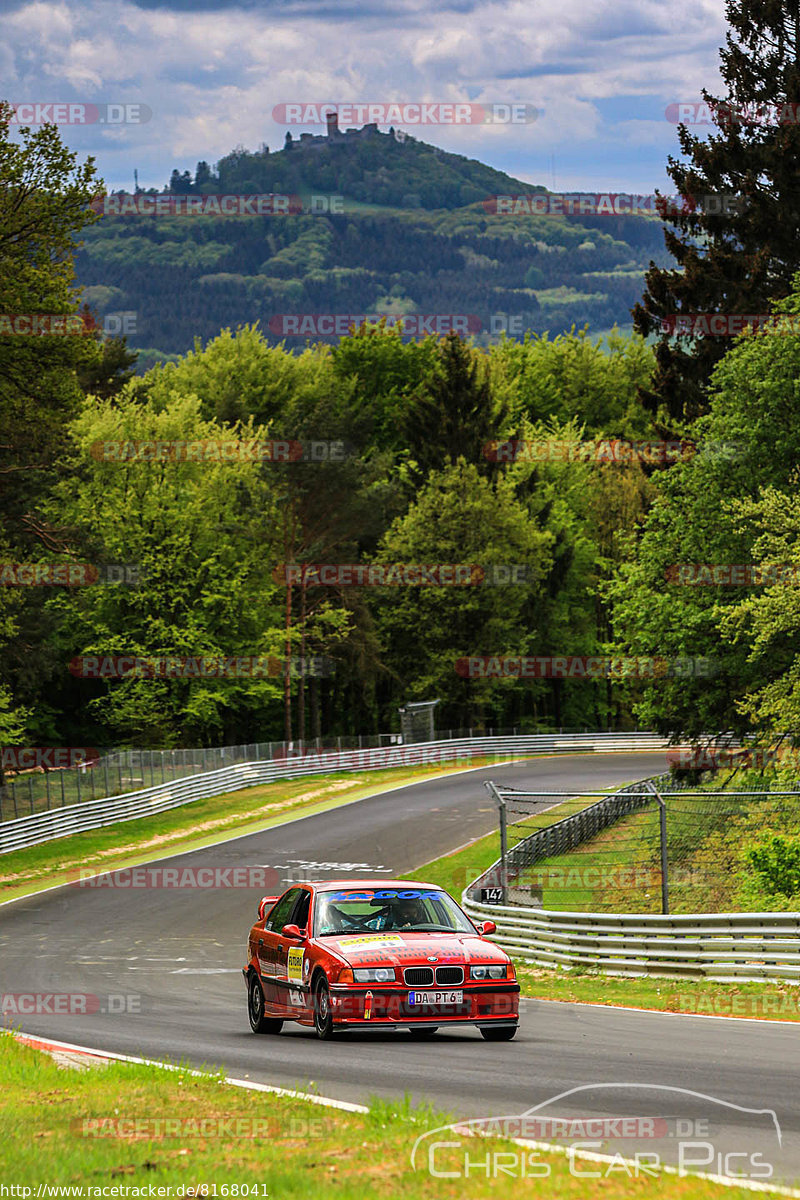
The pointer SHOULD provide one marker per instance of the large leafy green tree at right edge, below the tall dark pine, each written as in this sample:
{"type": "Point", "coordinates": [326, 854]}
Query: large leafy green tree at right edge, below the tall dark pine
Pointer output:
{"type": "Point", "coordinates": [721, 507]}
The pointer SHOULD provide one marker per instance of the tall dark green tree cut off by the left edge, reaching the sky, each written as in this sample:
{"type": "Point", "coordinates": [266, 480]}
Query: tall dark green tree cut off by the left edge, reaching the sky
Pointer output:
{"type": "Point", "coordinates": [45, 199]}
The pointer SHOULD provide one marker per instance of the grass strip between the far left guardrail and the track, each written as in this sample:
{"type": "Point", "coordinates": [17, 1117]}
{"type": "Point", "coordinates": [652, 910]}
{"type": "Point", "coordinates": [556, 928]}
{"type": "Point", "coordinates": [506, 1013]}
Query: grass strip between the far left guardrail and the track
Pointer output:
{"type": "Point", "coordinates": [201, 824]}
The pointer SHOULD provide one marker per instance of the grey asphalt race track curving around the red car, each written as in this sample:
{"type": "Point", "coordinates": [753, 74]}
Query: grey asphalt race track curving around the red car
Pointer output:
{"type": "Point", "coordinates": [165, 964]}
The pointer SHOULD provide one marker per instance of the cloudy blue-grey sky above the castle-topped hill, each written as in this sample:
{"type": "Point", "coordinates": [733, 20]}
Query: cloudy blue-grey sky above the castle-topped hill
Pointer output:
{"type": "Point", "coordinates": [600, 75]}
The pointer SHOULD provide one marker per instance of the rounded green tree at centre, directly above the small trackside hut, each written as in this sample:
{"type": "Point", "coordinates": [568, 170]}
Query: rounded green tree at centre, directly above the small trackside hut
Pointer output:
{"type": "Point", "coordinates": [461, 518]}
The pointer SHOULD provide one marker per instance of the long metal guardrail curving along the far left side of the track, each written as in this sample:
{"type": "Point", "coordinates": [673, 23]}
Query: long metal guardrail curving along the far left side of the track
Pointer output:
{"type": "Point", "coordinates": [94, 814]}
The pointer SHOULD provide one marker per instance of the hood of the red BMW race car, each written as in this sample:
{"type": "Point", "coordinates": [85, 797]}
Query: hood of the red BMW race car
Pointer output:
{"type": "Point", "coordinates": [412, 950]}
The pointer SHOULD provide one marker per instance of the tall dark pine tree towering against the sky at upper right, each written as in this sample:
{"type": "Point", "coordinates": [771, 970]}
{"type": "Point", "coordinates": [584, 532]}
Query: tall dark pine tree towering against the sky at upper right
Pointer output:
{"type": "Point", "coordinates": [742, 260]}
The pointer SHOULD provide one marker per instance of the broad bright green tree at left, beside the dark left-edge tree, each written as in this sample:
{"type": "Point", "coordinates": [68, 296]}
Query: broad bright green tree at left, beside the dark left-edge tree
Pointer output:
{"type": "Point", "coordinates": [201, 533]}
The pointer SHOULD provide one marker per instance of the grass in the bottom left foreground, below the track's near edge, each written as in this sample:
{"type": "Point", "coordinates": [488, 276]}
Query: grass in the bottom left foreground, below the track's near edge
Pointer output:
{"type": "Point", "coordinates": [142, 1127]}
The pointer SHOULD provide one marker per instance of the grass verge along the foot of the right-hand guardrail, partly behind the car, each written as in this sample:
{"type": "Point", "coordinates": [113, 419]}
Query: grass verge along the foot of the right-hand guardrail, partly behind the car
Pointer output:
{"type": "Point", "coordinates": [759, 1001]}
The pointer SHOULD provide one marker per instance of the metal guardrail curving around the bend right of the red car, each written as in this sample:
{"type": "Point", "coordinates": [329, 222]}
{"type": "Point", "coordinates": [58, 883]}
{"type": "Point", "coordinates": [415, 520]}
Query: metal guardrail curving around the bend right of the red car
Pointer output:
{"type": "Point", "coordinates": [724, 947]}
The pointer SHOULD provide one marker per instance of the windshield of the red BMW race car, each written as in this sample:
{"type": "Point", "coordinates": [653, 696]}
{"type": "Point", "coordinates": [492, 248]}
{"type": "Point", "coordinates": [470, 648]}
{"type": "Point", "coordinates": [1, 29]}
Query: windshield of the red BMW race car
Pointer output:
{"type": "Point", "coordinates": [377, 910]}
